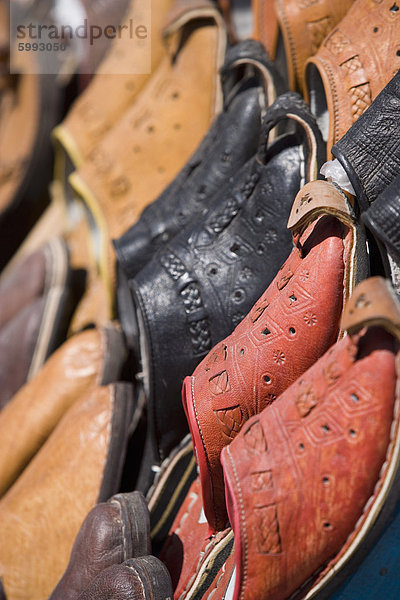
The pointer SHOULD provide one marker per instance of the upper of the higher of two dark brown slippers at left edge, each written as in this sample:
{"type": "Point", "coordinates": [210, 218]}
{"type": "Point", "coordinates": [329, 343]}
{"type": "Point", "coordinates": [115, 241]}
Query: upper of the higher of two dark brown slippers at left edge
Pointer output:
{"type": "Point", "coordinates": [25, 282]}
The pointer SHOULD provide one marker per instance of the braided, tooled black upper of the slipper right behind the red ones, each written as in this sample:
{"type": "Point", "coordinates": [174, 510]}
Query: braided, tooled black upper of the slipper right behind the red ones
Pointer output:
{"type": "Point", "coordinates": [202, 284]}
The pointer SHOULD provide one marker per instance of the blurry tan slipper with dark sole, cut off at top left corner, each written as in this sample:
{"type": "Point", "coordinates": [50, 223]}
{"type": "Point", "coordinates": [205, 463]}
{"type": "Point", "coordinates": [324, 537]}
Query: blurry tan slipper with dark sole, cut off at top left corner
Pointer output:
{"type": "Point", "coordinates": [30, 107]}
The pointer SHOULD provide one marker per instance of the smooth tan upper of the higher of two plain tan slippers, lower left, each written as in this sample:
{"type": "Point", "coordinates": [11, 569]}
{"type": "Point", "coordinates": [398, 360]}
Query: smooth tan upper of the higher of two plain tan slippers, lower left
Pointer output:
{"type": "Point", "coordinates": [28, 420]}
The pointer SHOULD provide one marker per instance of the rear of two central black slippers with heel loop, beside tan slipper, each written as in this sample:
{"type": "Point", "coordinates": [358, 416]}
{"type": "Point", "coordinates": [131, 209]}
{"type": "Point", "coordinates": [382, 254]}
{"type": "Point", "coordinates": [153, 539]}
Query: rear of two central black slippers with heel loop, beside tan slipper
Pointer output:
{"type": "Point", "coordinates": [231, 141]}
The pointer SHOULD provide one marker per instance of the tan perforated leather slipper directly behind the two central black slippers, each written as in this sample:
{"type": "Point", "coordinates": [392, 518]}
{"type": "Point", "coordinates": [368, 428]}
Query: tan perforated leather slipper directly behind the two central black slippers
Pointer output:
{"type": "Point", "coordinates": [165, 124]}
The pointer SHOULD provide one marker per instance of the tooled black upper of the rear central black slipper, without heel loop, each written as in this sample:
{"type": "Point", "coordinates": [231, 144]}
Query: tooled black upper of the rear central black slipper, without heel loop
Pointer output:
{"type": "Point", "coordinates": [231, 141]}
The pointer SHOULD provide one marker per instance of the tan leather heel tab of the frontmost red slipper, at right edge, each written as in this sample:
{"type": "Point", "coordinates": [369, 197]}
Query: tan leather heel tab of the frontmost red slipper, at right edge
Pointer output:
{"type": "Point", "coordinates": [373, 303]}
